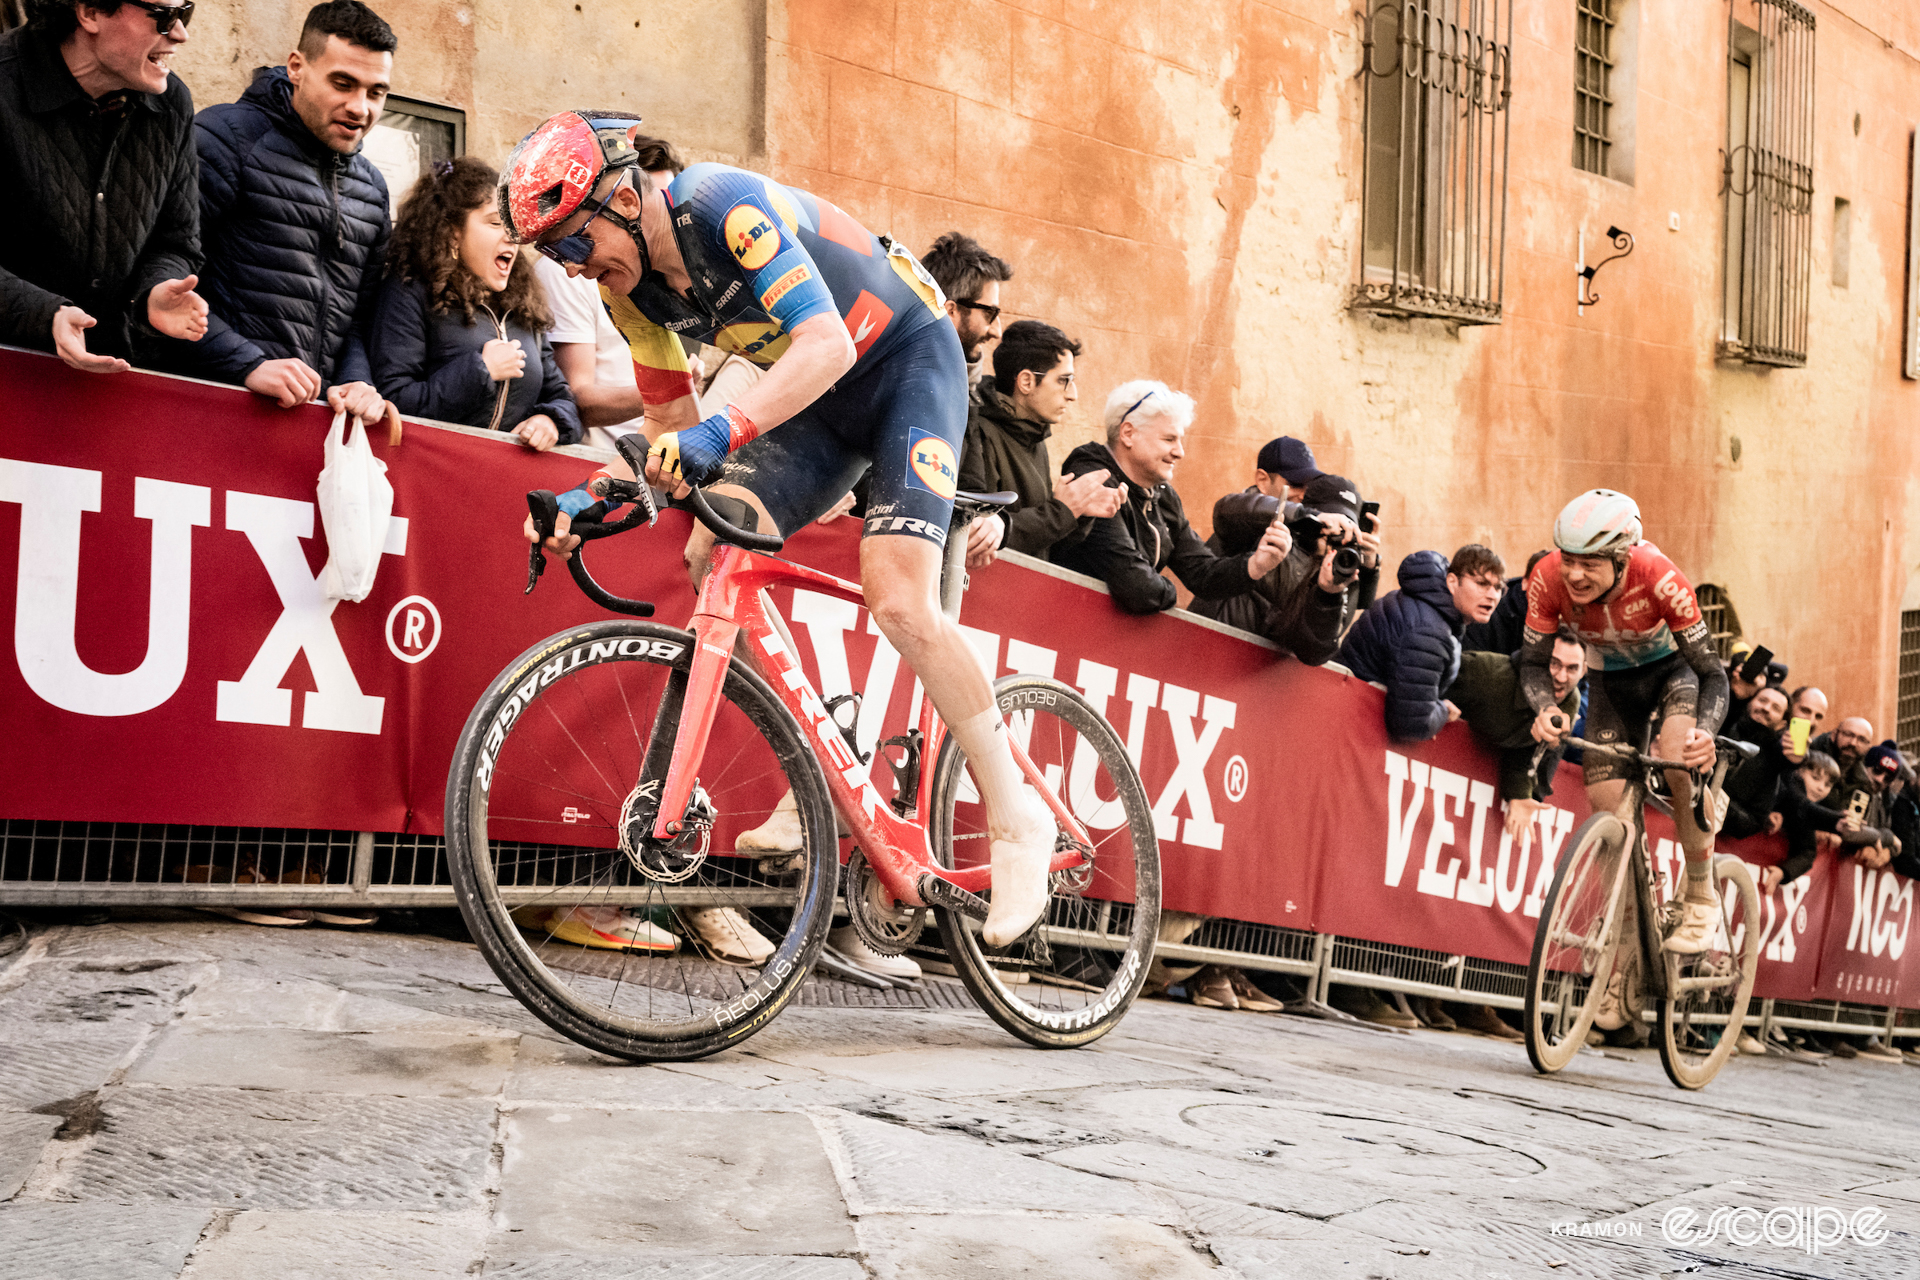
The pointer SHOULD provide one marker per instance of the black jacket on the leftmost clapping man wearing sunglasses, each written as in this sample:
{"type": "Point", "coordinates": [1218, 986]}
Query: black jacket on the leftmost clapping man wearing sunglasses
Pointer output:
{"type": "Point", "coordinates": [101, 204]}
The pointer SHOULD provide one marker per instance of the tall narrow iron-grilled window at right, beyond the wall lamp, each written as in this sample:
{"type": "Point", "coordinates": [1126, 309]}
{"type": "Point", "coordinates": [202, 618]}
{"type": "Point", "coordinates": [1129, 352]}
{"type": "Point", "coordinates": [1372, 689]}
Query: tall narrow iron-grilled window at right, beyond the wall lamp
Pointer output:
{"type": "Point", "coordinates": [1767, 185]}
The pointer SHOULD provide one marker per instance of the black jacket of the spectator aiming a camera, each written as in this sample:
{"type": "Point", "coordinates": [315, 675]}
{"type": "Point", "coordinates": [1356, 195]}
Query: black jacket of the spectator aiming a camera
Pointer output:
{"type": "Point", "coordinates": [1287, 605]}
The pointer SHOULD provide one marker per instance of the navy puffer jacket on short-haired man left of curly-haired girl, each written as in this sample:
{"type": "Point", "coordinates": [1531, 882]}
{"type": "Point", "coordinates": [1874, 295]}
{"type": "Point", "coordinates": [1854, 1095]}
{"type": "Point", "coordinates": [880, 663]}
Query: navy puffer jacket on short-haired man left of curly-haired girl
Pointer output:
{"type": "Point", "coordinates": [297, 243]}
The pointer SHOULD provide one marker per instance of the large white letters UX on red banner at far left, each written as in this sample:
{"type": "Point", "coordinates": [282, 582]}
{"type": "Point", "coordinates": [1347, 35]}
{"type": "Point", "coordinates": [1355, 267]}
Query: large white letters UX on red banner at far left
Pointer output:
{"type": "Point", "coordinates": [53, 502]}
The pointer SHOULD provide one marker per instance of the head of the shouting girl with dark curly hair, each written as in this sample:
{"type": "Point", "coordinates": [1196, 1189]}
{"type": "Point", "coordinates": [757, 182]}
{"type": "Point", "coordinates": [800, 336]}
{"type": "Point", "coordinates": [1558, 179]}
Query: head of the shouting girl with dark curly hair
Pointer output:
{"type": "Point", "coordinates": [433, 231]}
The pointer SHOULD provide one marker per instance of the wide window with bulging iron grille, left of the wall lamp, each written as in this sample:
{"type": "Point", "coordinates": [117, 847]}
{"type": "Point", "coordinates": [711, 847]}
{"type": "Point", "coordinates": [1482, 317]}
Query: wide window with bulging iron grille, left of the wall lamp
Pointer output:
{"type": "Point", "coordinates": [1439, 89]}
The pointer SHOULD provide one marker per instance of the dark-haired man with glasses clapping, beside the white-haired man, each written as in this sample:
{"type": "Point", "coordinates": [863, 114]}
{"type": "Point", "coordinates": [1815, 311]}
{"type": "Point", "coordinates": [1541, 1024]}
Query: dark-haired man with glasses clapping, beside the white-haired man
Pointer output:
{"type": "Point", "coordinates": [1005, 448]}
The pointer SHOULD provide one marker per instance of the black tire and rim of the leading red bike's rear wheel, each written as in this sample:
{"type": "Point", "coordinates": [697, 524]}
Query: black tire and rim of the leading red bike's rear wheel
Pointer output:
{"type": "Point", "coordinates": [963, 947]}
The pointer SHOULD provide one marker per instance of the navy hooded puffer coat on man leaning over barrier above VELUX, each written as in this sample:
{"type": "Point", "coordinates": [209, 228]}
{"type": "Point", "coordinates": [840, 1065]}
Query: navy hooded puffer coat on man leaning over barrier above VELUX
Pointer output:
{"type": "Point", "coordinates": [1410, 642]}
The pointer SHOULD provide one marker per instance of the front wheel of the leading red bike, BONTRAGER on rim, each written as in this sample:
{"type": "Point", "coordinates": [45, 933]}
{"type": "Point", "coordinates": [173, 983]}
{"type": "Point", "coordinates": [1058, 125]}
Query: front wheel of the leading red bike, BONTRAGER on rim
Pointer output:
{"type": "Point", "coordinates": [552, 792]}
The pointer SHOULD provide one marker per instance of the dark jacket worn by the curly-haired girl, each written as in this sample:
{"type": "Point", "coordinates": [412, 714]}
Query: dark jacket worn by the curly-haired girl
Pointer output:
{"type": "Point", "coordinates": [431, 367]}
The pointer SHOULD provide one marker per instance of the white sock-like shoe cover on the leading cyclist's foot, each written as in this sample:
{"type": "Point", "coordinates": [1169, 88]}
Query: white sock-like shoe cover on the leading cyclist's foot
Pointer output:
{"type": "Point", "coordinates": [1019, 826]}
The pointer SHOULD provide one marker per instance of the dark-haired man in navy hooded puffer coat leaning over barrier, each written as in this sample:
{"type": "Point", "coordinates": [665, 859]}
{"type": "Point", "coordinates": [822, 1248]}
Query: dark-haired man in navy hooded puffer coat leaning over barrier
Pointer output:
{"type": "Point", "coordinates": [1410, 638]}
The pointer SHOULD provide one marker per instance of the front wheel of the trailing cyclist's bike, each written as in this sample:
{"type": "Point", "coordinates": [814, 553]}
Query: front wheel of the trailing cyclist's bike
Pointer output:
{"type": "Point", "coordinates": [1577, 943]}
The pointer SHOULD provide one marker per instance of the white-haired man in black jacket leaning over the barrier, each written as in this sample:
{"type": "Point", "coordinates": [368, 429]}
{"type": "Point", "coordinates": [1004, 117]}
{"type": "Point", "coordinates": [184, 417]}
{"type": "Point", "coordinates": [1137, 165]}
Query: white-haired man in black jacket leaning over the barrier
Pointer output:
{"type": "Point", "coordinates": [1145, 440]}
